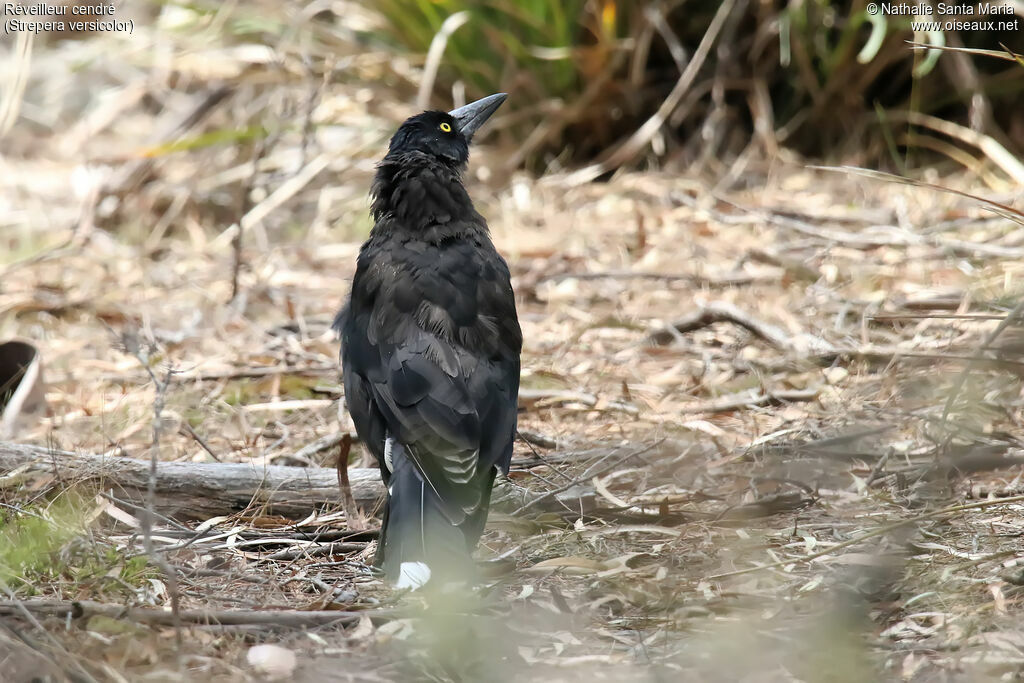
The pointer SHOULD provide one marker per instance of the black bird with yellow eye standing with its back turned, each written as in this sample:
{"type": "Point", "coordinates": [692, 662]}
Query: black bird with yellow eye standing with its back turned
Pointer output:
{"type": "Point", "coordinates": [431, 349]}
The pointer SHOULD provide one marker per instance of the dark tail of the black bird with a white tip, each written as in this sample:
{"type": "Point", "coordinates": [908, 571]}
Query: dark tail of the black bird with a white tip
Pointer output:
{"type": "Point", "coordinates": [418, 543]}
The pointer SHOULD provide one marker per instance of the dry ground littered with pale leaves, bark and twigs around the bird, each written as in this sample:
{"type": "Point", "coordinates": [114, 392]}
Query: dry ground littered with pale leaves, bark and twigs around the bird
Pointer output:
{"type": "Point", "coordinates": [783, 448]}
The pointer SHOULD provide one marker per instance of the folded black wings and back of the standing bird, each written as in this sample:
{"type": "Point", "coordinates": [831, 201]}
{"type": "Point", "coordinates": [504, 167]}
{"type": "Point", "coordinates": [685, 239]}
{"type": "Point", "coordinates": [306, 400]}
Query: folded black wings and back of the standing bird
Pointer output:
{"type": "Point", "coordinates": [433, 360]}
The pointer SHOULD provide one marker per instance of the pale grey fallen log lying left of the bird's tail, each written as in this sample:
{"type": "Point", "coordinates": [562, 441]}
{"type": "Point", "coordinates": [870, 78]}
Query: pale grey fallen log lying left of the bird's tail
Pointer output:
{"type": "Point", "coordinates": [200, 491]}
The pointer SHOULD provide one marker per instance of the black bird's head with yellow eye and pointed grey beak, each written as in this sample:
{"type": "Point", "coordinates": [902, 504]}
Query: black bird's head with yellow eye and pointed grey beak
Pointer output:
{"type": "Point", "coordinates": [445, 136]}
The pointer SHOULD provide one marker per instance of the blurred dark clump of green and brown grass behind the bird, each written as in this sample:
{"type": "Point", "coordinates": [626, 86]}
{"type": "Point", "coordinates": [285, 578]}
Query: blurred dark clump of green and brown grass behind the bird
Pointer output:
{"type": "Point", "coordinates": [827, 79]}
